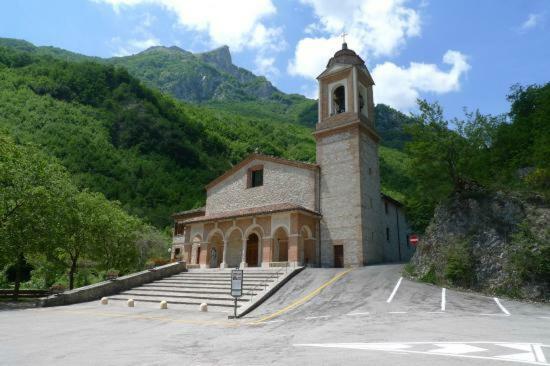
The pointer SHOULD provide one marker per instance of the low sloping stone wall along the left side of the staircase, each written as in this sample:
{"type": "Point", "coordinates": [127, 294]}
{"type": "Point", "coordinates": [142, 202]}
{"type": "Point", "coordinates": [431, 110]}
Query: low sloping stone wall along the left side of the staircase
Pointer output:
{"type": "Point", "coordinates": [107, 288]}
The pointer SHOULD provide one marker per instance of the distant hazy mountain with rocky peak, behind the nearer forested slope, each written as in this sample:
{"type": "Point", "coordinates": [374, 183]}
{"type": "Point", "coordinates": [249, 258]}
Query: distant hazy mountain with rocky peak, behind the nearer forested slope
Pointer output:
{"type": "Point", "coordinates": [212, 80]}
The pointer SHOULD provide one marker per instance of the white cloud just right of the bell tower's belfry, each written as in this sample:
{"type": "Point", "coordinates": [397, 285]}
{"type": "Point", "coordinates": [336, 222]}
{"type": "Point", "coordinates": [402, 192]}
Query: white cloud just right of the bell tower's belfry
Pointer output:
{"type": "Point", "coordinates": [400, 87]}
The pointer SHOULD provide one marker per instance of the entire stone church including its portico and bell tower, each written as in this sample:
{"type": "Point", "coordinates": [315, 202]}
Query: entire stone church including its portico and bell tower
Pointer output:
{"type": "Point", "coordinates": [270, 212]}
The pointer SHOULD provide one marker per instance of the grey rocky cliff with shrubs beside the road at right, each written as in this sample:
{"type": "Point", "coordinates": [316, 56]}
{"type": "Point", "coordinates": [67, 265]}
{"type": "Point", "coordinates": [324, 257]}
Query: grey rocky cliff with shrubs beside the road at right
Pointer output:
{"type": "Point", "coordinates": [495, 243]}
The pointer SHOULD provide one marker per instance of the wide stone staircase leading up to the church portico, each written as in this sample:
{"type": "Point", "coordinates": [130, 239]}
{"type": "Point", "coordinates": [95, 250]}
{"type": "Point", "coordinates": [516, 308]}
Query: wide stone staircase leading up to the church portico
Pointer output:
{"type": "Point", "coordinates": [210, 286]}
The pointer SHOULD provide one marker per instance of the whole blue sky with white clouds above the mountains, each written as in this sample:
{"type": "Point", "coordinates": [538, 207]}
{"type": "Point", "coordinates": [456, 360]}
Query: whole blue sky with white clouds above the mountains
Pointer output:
{"type": "Point", "coordinates": [463, 53]}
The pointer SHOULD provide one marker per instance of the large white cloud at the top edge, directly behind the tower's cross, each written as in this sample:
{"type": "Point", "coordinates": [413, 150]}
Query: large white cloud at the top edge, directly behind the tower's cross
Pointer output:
{"type": "Point", "coordinates": [375, 27]}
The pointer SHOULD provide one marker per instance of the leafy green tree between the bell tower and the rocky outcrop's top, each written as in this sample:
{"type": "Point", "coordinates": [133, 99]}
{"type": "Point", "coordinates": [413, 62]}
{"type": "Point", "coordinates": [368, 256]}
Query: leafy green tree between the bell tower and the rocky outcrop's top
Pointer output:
{"type": "Point", "coordinates": [447, 160]}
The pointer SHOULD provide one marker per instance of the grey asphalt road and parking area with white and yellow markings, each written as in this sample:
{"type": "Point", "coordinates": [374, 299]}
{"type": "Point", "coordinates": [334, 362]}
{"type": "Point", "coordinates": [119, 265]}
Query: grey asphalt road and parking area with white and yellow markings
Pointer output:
{"type": "Point", "coordinates": [360, 317]}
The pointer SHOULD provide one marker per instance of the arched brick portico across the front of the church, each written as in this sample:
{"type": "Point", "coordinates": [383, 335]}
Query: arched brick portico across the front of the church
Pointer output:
{"type": "Point", "coordinates": [273, 236]}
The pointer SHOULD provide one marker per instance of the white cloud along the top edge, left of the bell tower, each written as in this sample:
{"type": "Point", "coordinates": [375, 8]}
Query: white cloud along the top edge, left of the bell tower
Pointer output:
{"type": "Point", "coordinates": [236, 23]}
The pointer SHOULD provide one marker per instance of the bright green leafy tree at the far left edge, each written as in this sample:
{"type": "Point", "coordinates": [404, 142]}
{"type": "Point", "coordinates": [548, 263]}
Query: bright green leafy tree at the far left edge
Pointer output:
{"type": "Point", "coordinates": [31, 189]}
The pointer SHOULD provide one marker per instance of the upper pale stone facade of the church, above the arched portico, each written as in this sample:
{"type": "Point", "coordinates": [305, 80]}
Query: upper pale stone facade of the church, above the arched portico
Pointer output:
{"type": "Point", "coordinates": [281, 184]}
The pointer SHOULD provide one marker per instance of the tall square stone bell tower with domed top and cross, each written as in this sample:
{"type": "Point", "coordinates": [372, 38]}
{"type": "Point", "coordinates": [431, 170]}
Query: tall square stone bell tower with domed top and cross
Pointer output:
{"type": "Point", "coordinates": [347, 153]}
